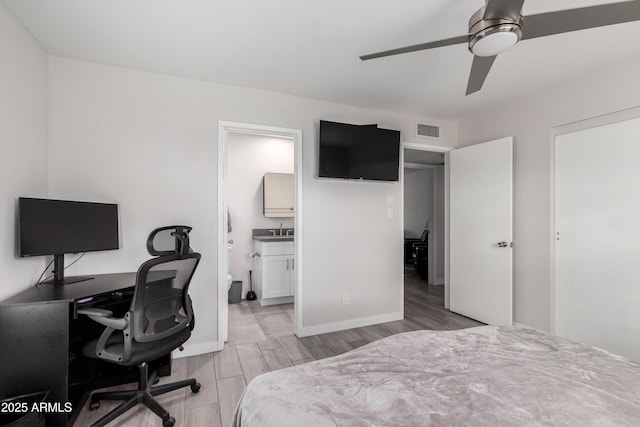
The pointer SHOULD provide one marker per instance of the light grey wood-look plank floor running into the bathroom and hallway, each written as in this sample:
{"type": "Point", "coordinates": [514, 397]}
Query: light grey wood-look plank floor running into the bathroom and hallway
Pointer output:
{"type": "Point", "coordinates": [261, 339]}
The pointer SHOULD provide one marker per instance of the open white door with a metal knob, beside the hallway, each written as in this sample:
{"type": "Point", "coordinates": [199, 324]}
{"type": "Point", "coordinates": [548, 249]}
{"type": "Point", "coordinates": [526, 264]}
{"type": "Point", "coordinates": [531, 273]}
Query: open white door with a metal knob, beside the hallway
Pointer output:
{"type": "Point", "coordinates": [480, 222]}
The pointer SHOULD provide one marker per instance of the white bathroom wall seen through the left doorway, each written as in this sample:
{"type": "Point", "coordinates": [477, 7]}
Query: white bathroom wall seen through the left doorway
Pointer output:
{"type": "Point", "coordinates": [249, 157]}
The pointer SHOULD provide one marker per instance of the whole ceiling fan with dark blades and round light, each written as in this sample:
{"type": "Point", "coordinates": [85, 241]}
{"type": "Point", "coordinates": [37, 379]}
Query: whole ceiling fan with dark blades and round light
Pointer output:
{"type": "Point", "coordinates": [499, 25]}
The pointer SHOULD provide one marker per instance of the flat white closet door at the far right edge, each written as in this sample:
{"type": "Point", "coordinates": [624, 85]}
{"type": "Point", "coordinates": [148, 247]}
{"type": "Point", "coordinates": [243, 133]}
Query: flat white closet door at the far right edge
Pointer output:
{"type": "Point", "coordinates": [597, 240]}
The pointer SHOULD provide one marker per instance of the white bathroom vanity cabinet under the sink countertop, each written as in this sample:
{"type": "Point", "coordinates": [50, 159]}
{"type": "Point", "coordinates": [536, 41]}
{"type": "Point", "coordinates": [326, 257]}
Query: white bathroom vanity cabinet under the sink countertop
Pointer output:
{"type": "Point", "coordinates": [275, 278]}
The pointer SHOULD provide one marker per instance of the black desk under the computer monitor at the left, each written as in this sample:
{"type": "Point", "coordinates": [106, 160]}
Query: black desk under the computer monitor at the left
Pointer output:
{"type": "Point", "coordinates": [36, 329]}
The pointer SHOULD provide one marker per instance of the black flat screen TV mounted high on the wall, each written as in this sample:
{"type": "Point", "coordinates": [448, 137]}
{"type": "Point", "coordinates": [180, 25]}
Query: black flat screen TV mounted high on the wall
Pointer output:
{"type": "Point", "coordinates": [358, 152]}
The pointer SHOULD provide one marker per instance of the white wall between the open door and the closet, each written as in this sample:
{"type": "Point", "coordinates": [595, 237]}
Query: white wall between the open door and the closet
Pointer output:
{"type": "Point", "coordinates": [530, 121]}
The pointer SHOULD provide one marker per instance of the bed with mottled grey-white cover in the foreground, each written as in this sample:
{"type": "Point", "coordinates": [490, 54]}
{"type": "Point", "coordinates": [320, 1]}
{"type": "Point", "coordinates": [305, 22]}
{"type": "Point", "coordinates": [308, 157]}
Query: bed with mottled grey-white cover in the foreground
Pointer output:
{"type": "Point", "coordinates": [482, 376]}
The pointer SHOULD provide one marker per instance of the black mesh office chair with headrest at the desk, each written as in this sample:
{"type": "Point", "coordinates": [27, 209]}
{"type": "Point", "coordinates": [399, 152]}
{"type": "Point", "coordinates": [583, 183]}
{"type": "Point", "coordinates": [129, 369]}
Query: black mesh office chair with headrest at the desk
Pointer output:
{"type": "Point", "coordinates": [159, 320]}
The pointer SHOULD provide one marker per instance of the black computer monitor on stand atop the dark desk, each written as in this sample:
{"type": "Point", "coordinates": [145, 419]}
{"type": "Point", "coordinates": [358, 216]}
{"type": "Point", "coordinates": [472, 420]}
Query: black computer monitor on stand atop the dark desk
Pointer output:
{"type": "Point", "coordinates": [59, 227]}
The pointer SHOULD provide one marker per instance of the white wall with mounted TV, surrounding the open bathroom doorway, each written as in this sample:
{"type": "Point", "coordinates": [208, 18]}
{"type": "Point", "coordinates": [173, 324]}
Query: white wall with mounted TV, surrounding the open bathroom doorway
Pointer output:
{"type": "Point", "coordinates": [149, 143]}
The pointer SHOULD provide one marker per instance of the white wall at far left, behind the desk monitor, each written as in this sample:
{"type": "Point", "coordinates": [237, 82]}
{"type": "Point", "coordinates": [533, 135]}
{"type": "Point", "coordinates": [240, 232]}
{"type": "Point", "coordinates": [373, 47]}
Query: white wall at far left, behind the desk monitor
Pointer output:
{"type": "Point", "coordinates": [23, 144]}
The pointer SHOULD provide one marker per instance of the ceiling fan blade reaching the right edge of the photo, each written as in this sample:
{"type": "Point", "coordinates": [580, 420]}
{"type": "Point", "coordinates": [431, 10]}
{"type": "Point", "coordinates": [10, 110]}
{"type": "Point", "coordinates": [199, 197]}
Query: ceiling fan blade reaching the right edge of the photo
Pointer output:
{"type": "Point", "coordinates": [564, 21]}
